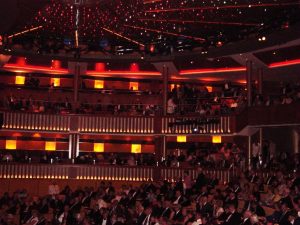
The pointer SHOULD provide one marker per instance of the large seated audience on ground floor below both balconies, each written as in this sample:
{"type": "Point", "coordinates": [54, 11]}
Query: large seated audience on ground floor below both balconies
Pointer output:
{"type": "Point", "coordinates": [249, 198]}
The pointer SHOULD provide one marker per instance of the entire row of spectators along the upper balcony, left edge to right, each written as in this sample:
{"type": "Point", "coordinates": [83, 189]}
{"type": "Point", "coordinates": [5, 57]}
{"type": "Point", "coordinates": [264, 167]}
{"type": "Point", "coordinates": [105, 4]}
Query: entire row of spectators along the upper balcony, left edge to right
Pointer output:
{"type": "Point", "coordinates": [184, 99]}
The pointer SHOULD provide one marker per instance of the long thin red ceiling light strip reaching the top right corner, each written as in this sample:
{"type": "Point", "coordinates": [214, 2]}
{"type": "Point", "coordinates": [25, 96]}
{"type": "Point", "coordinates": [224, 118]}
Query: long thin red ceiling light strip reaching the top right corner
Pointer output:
{"type": "Point", "coordinates": [224, 7]}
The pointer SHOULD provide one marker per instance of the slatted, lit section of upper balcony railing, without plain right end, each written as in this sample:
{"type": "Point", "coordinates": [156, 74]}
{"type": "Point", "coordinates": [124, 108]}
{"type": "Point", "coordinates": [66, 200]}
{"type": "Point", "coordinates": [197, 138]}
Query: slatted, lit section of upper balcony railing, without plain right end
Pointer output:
{"type": "Point", "coordinates": [113, 124]}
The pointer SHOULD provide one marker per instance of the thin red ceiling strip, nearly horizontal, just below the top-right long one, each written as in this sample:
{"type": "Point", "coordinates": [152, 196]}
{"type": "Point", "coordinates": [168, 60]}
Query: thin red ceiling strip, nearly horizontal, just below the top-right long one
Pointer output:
{"type": "Point", "coordinates": [201, 22]}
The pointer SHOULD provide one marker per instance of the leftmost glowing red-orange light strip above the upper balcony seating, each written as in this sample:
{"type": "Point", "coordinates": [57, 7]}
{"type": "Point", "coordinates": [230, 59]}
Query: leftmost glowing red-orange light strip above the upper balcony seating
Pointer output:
{"type": "Point", "coordinates": [30, 68]}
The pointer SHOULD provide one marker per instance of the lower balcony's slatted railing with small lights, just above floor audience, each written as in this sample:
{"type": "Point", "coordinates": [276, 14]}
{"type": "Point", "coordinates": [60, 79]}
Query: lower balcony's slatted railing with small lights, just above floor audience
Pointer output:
{"type": "Point", "coordinates": [104, 172]}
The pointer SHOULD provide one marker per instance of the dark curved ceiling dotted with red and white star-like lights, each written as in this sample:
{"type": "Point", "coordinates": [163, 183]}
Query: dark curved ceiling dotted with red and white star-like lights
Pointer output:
{"type": "Point", "coordinates": [140, 24]}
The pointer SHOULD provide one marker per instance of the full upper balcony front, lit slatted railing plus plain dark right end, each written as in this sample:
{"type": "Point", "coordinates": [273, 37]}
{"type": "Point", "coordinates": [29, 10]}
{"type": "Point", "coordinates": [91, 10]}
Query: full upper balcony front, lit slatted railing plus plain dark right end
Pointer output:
{"type": "Point", "coordinates": [164, 125]}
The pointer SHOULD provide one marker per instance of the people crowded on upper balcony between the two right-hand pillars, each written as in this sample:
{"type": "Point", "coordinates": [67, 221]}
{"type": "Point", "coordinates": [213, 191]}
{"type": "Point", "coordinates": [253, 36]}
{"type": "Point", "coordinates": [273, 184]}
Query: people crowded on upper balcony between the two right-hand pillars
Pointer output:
{"type": "Point", "coordinates": [186, 99]}
